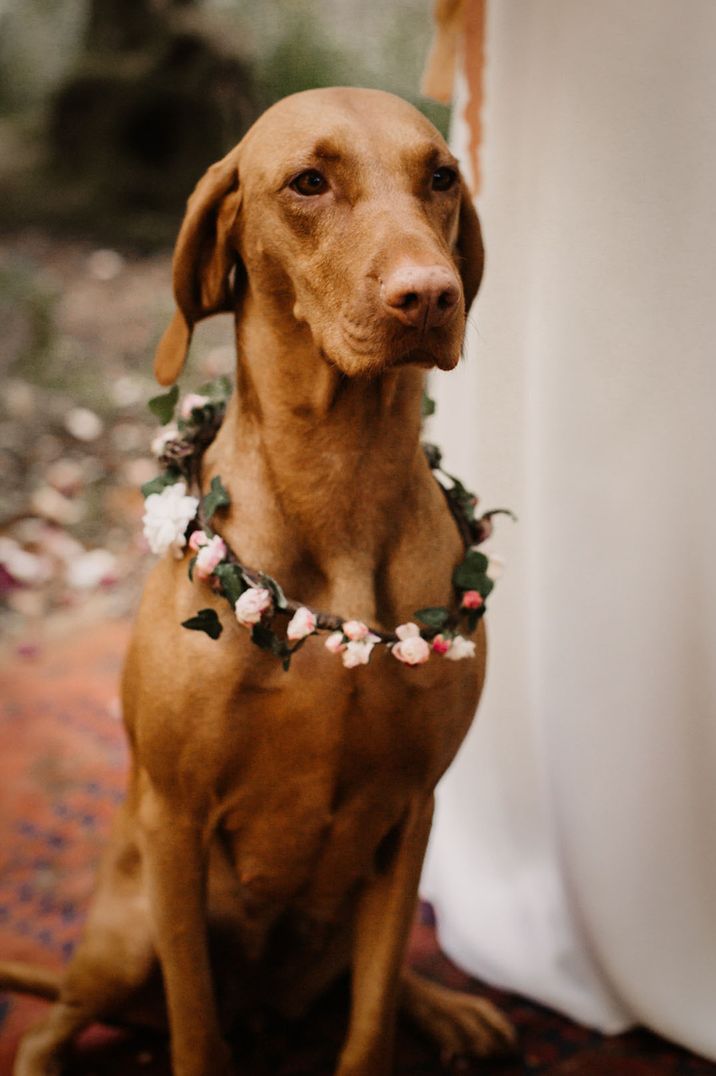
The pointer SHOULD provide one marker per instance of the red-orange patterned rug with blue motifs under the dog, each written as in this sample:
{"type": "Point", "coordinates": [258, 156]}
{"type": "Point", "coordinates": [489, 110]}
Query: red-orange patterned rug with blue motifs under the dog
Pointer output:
{"type": "Point", "coordinates": [63, 767]}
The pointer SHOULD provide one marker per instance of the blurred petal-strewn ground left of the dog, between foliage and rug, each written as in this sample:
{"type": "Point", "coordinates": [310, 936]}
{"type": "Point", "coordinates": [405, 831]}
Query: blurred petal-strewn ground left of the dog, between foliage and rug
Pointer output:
{"type": "Point", "coordinates": [79, 331]}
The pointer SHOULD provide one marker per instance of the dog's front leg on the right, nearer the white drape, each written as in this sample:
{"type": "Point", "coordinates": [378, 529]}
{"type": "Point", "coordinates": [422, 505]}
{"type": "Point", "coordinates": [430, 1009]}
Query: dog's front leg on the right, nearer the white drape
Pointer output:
{"type": "Point", "coordinates": [383, 925]}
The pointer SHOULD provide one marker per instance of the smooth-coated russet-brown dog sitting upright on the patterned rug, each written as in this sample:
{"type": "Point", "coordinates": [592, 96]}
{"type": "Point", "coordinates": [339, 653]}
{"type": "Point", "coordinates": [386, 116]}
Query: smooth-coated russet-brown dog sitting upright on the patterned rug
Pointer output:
{"type": "Point", "coordinates": [287, 815]}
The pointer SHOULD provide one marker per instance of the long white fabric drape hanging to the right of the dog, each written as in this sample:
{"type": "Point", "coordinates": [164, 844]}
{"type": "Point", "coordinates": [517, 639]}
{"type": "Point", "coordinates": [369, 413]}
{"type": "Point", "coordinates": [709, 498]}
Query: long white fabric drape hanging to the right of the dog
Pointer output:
{"type": "Point", "coordinates": [574, 852]}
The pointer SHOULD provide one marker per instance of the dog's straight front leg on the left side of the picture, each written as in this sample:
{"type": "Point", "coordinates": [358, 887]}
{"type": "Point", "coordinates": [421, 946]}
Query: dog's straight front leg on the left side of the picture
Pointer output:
{"type": "Point", "coordinates": [176, 873]}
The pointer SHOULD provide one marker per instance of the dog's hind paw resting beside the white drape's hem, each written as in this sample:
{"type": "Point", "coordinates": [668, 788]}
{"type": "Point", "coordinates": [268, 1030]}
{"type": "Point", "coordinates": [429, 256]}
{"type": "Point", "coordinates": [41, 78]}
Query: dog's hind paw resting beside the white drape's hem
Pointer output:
{"type": "Point", "coordinates": [462, 1026]}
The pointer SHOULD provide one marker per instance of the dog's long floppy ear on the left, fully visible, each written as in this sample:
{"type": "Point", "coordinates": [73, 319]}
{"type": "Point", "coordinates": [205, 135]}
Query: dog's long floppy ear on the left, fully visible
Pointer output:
{"type": "Point", "coordinates": [204, 259]}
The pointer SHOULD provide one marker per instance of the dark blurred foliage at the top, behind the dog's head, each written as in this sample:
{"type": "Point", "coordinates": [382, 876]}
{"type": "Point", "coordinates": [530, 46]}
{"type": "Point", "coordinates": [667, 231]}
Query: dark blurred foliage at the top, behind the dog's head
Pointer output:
{"type": "Point", "coordinates": [110, 109]}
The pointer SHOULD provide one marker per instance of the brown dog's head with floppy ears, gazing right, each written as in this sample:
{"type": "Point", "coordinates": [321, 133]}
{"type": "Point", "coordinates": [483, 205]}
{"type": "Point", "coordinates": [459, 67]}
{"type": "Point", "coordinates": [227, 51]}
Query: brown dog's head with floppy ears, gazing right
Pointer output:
{"type": "Point", "coordinates": [343, 210]}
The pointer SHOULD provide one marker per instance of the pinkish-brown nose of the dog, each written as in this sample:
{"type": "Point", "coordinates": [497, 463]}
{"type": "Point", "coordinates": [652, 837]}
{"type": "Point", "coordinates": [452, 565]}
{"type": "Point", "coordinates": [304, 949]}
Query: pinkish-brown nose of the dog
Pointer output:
{"type": "Point", "coordinates": [424, 296]}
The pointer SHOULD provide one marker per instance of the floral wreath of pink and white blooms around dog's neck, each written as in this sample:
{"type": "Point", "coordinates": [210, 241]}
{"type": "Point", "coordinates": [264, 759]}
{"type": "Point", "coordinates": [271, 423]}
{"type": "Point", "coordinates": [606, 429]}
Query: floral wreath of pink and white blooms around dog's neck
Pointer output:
{"type": "Point", "coordinates": [176, 519]}
